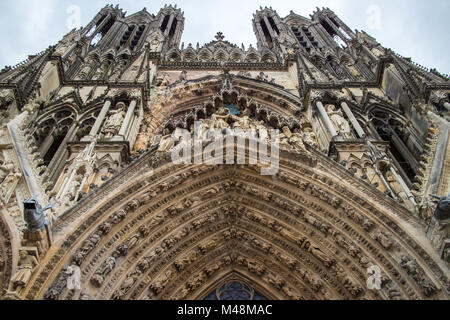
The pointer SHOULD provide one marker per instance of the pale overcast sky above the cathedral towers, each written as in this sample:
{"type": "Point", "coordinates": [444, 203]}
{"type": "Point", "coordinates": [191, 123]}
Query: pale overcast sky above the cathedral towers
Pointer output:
{"type": "Point", "coordinates": [413, 28]}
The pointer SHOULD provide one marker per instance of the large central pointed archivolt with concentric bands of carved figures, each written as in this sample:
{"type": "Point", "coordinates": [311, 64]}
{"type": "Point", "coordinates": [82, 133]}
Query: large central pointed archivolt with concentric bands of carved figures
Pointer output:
{"type": "Point", "coordinates": [174, 232]}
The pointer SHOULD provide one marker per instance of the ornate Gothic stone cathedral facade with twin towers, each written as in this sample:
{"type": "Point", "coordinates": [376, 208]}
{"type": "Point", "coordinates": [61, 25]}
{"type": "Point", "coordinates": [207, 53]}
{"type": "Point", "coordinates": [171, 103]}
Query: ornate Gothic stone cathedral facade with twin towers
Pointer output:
{"type": "Point", "coordinates": [94, 208]}
